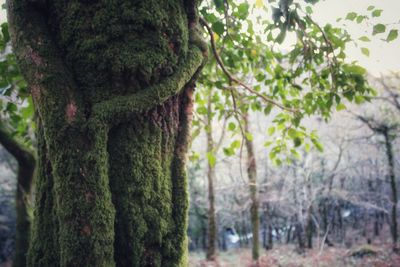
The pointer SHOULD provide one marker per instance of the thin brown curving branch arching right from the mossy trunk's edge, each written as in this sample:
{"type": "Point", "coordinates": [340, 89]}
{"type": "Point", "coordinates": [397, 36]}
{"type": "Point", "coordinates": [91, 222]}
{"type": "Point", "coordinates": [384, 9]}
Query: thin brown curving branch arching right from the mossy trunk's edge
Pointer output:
{"type": "Point", "coordinates": [234, 79]}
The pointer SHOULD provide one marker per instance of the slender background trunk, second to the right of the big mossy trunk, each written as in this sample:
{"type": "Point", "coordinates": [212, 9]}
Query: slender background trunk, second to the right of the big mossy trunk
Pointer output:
{"type": "Point", "coordinates": [252, 175]}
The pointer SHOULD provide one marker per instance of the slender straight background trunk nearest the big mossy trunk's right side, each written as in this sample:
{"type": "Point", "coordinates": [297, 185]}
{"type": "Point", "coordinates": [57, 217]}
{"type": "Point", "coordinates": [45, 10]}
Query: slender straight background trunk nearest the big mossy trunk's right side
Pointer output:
{"type": "Point", "coordinates": [212, 226]}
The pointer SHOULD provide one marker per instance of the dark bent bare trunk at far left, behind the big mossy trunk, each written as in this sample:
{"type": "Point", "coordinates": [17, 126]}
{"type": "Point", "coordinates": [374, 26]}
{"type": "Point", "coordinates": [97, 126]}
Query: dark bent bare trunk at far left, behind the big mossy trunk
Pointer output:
{"type": "Point", "coordinates": [26, 167]}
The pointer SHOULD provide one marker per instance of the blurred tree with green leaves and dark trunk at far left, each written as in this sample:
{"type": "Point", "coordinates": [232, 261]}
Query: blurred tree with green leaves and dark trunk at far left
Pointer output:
{"type": "Point", "coordinates": [15, 136]}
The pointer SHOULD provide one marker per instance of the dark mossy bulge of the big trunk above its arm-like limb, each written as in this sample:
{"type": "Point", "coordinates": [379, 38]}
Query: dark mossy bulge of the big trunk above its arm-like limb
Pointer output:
{"type": "Point", "coordinates": [100, 37]}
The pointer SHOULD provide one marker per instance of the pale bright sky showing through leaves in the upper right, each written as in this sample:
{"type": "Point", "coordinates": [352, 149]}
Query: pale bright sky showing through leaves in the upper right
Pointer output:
{"type": "Point", "coordinates": [384, 57]}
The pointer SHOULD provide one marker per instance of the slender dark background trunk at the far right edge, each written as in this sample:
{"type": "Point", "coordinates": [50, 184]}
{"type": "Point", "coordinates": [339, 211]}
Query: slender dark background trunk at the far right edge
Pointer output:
{"type": "Point", "coordinates": [389, 154]}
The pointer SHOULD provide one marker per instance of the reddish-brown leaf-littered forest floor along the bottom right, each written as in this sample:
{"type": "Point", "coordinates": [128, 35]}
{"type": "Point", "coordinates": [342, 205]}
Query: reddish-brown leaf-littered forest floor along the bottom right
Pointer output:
{"type": "Point", "coordinates": [286, 256]}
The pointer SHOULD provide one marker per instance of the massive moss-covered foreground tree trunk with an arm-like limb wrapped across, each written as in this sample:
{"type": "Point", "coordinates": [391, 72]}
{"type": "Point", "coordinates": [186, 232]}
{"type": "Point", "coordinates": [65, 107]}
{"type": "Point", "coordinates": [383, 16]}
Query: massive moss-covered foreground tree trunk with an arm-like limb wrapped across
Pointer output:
{"type": "Point", "coordinates": [112, 85]}
